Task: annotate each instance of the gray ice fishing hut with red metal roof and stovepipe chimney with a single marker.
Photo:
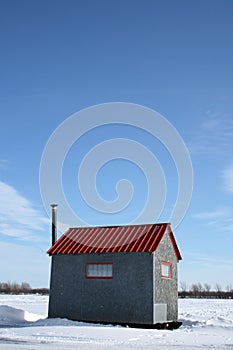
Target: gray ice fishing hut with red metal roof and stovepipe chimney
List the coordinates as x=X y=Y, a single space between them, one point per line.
x=117 y=274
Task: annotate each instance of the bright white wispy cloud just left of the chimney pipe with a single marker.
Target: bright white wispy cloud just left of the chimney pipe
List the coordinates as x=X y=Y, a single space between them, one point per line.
x=18 y=217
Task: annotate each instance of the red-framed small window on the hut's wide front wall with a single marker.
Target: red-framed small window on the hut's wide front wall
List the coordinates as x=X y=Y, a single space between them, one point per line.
x=99 y=270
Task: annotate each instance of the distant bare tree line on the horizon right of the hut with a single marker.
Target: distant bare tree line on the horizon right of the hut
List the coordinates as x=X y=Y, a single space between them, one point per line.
x=198 y=290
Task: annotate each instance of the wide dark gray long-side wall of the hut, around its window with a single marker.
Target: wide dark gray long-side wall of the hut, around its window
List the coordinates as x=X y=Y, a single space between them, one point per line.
x=127 y=298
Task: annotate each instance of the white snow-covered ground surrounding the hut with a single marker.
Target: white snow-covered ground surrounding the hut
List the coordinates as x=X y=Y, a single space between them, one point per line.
x=207 y=324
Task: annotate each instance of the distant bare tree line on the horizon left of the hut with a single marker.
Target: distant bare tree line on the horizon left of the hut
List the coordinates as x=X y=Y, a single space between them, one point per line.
x=20 y=288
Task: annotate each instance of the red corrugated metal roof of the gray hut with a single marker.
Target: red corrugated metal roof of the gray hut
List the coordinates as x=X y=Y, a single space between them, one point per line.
x=113 y=239
